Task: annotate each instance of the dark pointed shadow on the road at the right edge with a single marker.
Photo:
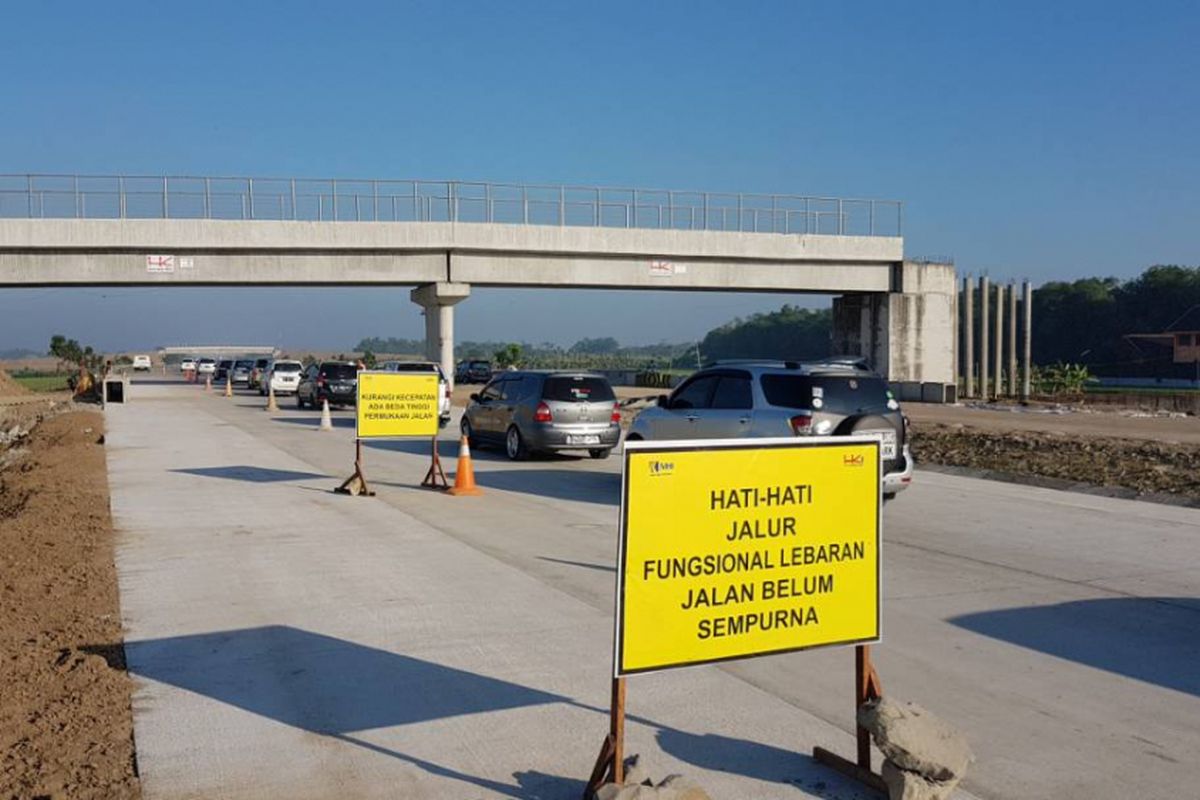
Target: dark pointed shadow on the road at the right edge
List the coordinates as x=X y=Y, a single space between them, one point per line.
x=1156 y=640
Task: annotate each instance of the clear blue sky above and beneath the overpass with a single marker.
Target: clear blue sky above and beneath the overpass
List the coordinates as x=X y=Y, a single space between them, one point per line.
x=1029 y=140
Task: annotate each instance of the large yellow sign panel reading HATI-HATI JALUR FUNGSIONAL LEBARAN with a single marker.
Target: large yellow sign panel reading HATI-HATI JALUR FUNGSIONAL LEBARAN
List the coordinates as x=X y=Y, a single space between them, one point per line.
x=742 y=549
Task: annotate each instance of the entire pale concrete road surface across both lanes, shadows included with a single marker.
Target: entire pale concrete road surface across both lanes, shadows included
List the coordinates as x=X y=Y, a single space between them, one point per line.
x=292 y=642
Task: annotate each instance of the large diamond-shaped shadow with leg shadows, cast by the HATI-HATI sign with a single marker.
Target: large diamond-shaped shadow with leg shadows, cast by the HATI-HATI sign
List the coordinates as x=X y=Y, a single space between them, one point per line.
x=343 y=690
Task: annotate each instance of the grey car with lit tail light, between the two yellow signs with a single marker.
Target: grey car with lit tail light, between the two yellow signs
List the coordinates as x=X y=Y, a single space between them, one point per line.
x=531 y=412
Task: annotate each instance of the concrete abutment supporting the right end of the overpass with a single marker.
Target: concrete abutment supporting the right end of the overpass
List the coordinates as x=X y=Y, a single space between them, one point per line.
x=907 y=335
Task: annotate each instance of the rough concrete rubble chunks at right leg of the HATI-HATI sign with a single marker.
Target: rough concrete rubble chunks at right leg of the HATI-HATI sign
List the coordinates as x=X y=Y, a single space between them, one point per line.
x=925 y=757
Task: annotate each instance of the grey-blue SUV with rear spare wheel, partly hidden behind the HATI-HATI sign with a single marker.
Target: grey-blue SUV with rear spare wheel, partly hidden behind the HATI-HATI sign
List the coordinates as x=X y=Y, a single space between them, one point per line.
x=785 y=399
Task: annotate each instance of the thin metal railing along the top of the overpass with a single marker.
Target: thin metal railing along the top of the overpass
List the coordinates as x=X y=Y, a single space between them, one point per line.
x=135 y=197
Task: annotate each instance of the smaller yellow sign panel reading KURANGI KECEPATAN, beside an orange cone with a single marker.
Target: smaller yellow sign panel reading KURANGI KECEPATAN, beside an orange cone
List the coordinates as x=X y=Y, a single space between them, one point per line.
x=394 y=405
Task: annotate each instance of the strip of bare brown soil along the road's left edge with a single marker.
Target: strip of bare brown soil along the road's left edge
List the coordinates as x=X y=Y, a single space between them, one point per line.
x=67 y=729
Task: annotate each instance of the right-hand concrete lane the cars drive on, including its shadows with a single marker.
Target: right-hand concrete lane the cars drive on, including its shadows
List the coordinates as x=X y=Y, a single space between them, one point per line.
x=1060 y=631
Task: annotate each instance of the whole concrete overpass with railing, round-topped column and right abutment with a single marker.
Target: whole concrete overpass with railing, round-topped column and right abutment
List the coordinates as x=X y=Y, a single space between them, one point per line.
x=443 y=238
